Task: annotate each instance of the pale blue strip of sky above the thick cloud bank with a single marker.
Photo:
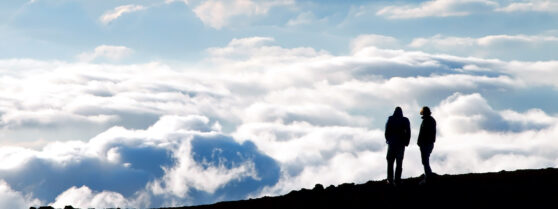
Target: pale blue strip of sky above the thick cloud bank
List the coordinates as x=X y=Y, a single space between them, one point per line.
x=173 y=31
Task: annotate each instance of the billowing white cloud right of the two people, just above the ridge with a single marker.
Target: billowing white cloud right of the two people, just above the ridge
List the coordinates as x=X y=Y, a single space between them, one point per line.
x=471 y=139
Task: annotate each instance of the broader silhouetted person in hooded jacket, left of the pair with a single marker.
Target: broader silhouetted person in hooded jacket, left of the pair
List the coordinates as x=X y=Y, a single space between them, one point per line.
x=398 y=134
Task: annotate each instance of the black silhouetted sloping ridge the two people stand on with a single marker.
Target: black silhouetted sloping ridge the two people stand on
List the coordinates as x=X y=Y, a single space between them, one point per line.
x=504 y=189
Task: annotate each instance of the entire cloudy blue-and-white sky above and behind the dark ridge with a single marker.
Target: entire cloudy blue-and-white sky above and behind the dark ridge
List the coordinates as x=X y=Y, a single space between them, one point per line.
x=162 y=103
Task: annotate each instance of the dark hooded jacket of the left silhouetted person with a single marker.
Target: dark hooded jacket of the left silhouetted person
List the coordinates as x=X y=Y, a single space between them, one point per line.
x=398 y=129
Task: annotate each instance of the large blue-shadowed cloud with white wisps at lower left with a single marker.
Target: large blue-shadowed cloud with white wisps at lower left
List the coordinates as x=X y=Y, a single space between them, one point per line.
x=171 y=159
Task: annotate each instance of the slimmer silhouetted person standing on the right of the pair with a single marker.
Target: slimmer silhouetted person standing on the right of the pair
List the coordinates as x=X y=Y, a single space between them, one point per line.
x=426 y=139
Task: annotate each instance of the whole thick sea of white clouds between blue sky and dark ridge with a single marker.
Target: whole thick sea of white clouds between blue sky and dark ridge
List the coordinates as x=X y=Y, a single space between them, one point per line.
x=255 y=118
